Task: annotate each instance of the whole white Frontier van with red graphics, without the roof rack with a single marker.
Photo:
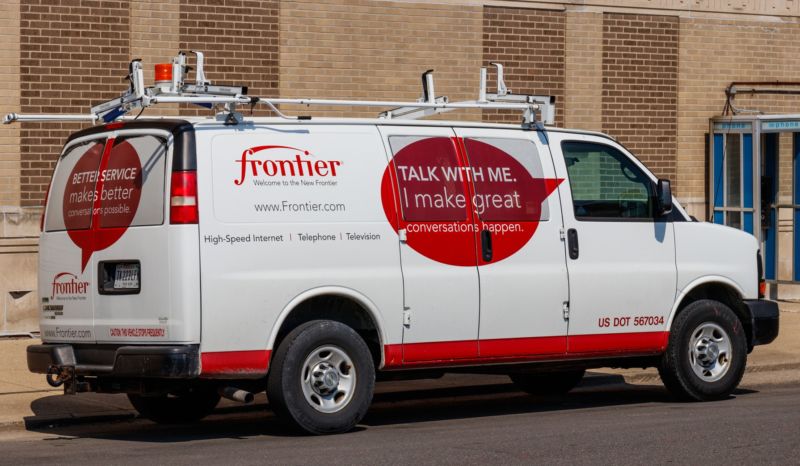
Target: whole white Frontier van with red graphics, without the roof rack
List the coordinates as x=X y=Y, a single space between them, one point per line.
x=185 y=259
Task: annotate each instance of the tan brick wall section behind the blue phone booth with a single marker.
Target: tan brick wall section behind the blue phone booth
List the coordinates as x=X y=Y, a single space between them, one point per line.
x=713 y=53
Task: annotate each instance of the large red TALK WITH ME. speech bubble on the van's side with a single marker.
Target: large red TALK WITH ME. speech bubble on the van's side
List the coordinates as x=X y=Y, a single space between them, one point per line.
x=444 y=206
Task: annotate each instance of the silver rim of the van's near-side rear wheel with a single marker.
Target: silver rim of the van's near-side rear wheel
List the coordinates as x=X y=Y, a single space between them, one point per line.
x=328 y=379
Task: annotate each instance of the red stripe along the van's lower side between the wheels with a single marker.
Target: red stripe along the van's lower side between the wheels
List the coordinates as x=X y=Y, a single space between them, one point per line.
x=454 y=353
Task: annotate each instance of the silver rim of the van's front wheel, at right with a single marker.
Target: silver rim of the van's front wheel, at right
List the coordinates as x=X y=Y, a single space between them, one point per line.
x=710 y=352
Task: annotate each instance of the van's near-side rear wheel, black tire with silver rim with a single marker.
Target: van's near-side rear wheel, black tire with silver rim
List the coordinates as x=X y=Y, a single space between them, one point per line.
x=285 y=383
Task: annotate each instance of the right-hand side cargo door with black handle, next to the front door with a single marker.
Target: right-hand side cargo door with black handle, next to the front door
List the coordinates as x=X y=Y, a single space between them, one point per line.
x=521 y=261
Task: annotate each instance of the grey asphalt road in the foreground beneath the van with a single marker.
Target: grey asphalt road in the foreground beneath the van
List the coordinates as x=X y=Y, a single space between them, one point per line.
x=492 y=424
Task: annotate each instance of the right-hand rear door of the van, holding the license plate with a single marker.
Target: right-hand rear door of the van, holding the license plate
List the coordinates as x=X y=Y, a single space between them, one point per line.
x=131 y=261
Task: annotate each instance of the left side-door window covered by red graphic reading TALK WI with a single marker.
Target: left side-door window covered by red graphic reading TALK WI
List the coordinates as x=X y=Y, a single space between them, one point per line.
x=430 y=180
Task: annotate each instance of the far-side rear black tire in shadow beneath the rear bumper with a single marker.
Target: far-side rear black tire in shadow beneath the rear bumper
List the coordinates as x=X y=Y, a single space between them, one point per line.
x=189 y=405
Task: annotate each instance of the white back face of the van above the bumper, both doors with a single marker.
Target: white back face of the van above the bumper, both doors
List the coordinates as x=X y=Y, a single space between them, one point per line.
x=107 y=229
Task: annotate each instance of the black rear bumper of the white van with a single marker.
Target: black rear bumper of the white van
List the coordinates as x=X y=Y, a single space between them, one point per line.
x=166 y=362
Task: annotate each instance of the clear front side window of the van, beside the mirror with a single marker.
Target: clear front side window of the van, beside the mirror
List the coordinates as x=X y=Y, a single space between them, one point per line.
x=606 y=184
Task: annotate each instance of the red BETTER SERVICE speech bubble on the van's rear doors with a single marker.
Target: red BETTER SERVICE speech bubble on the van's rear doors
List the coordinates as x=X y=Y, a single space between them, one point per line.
x=101 y=197
